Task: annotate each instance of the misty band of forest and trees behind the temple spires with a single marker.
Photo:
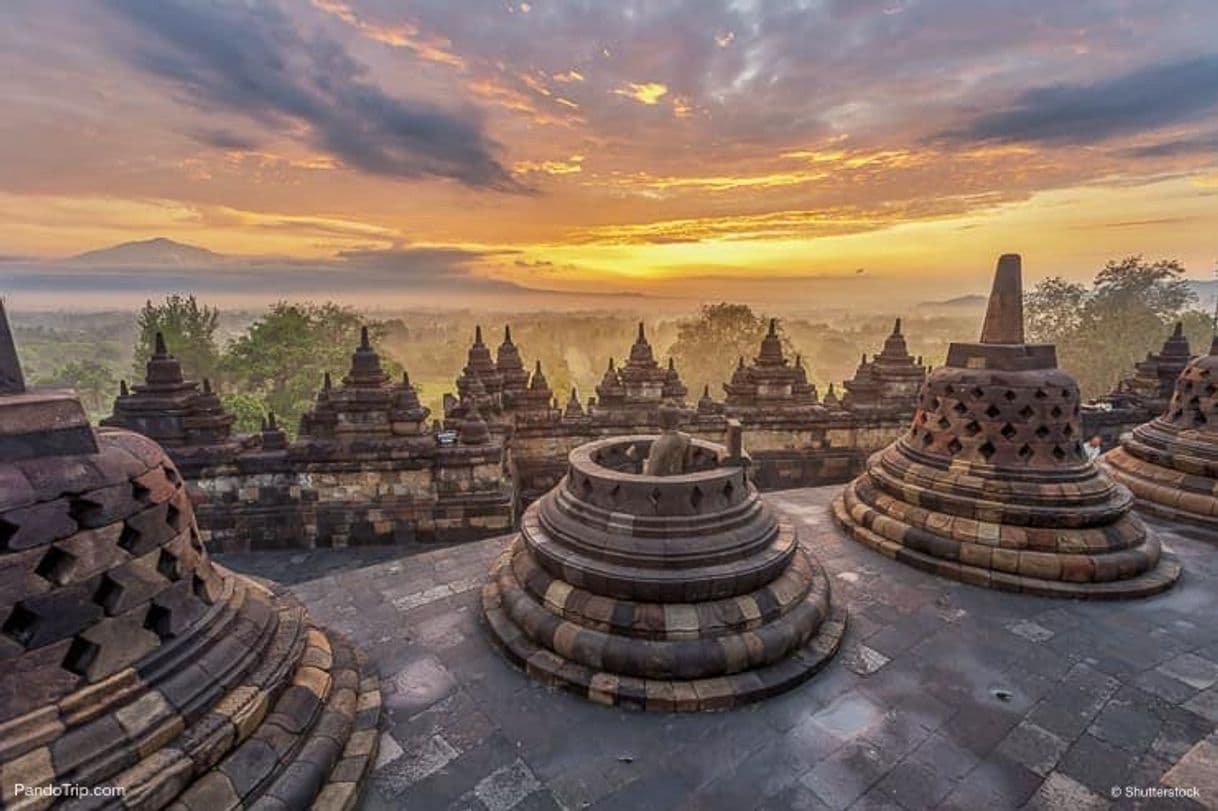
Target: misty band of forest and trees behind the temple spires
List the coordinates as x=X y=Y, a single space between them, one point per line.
x=275 y=360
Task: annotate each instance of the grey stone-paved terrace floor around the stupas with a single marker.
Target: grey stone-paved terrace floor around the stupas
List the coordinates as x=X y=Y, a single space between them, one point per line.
x=945 y=696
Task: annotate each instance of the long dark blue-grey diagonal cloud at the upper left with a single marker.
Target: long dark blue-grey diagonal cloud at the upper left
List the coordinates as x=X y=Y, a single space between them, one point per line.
x=250 y=59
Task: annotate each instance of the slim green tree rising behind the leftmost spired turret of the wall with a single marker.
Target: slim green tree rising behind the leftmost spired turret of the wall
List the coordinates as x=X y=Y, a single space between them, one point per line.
x=189 y=331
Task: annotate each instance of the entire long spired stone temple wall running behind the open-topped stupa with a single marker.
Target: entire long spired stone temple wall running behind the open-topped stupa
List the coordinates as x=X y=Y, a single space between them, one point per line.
x=370 y=469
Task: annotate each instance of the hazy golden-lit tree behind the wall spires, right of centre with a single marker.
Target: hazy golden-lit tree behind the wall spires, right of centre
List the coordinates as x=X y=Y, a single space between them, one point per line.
x=708 y=348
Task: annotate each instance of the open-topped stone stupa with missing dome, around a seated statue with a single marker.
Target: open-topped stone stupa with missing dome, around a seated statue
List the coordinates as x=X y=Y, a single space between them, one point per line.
x=680 y=592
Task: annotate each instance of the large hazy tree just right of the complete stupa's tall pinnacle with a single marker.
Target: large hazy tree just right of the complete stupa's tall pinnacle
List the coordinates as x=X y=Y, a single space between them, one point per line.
x=1102 y=332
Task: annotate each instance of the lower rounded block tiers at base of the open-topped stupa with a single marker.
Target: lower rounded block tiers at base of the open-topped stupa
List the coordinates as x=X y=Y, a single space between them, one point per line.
x=523 y=607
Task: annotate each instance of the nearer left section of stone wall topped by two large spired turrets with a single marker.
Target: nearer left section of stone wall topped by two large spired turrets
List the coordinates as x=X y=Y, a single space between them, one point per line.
x=367 y=468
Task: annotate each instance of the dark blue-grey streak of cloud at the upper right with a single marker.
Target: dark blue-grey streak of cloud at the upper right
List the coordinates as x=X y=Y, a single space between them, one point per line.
x=1138 y=102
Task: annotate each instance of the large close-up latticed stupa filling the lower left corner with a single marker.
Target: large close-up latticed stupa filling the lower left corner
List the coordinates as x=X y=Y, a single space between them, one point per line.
x=130 y=659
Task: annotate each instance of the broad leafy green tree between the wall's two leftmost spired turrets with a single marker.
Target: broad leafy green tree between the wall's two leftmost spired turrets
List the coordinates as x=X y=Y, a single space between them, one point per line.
x=284 y=355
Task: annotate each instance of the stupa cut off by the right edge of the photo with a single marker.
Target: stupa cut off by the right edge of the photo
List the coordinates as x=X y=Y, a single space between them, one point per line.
x=1171 y=463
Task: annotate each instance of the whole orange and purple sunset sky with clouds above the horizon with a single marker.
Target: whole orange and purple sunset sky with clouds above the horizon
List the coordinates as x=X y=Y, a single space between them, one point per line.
x=839 y=150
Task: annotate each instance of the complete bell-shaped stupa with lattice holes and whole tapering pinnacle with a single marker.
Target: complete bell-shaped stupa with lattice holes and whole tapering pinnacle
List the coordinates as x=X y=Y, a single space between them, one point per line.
x=991 y=484
